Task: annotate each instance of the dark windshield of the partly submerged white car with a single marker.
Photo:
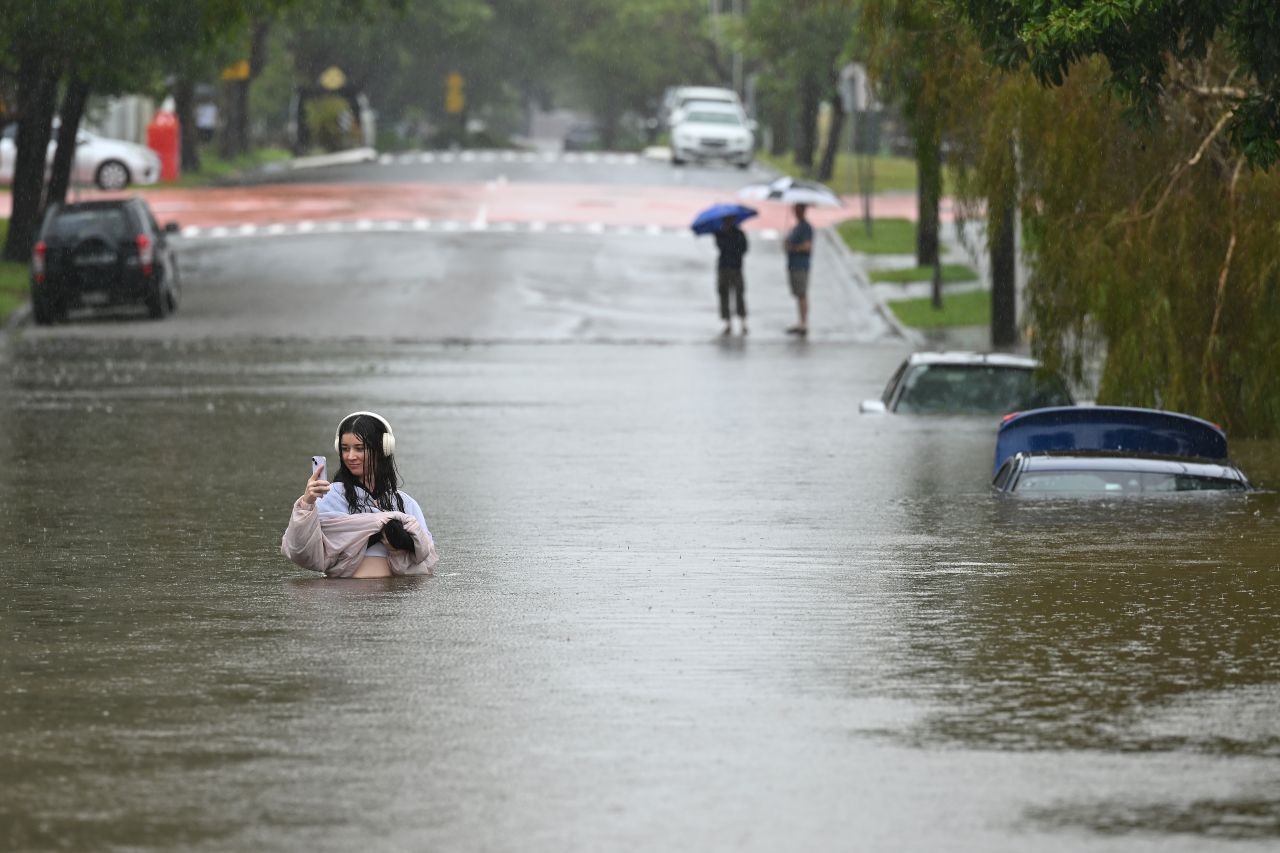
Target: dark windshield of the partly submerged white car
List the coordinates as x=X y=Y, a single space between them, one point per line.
x=981 y=389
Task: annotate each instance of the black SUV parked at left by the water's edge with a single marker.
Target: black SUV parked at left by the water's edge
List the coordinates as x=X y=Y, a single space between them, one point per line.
x=103 y=253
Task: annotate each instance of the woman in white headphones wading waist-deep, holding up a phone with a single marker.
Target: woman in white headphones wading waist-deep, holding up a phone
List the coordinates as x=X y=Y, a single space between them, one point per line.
x=360 y=526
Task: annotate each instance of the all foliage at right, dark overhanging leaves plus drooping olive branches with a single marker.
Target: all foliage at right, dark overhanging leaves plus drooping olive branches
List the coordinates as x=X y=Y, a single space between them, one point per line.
x=1154 y=262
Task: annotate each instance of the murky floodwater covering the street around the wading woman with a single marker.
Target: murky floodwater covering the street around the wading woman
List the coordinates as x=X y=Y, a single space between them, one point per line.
x=688 y=599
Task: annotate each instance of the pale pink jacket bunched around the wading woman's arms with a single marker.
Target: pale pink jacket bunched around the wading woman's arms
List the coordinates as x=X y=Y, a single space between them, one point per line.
x=337 y=545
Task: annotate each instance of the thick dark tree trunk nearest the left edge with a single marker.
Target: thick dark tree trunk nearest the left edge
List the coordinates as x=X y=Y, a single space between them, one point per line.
x=38 y=97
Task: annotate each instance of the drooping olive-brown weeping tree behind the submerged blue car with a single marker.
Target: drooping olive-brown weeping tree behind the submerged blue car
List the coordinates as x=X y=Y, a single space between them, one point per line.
x=1155 y=266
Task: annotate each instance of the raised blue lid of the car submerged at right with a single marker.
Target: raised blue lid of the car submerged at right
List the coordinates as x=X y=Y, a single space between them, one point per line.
x=1118 y=430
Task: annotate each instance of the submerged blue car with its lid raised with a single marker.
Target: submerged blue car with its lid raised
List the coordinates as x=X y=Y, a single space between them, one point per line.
x=1112 y=451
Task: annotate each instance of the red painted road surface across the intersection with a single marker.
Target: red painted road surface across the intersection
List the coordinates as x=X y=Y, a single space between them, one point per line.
x=491 y=203
